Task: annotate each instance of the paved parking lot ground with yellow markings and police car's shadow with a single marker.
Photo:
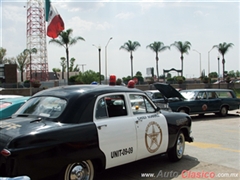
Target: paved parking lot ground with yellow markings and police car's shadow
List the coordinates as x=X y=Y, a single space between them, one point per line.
x=214 y=154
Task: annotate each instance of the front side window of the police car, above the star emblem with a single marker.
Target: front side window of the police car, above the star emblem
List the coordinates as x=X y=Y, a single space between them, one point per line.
x=140 y=104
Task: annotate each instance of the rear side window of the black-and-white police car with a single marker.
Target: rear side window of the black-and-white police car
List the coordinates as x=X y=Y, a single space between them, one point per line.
x=111 y=106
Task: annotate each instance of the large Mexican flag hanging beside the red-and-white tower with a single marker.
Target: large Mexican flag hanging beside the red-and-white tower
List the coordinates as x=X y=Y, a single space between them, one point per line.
x=55 y=22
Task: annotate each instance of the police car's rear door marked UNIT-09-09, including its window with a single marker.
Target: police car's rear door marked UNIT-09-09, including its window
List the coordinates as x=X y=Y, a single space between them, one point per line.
x=116 y=129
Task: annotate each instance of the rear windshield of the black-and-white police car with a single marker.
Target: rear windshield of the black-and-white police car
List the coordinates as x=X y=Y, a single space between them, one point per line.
x=51 y=107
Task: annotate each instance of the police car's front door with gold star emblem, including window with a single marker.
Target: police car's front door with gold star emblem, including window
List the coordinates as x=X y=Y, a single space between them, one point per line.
x=151 y=126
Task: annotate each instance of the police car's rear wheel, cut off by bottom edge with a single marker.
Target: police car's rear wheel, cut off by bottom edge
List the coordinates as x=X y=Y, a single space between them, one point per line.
x=80 y=170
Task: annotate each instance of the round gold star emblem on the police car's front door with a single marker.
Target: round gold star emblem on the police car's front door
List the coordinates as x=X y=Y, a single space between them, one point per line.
x=153 y=137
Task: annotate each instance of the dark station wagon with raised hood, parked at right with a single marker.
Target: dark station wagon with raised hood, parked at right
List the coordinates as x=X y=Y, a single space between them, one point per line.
x=199 y=101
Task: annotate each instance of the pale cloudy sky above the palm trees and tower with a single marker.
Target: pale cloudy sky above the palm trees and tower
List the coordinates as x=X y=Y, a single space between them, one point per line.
x=202 y=23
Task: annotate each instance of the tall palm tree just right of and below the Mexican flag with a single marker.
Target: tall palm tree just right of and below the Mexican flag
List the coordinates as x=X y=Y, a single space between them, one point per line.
x=65 y=39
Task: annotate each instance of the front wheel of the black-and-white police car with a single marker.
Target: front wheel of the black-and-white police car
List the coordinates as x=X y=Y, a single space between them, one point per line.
x=176 y=153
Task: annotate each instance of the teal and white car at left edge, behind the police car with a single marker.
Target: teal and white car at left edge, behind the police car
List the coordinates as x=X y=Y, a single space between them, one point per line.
x=11 y=105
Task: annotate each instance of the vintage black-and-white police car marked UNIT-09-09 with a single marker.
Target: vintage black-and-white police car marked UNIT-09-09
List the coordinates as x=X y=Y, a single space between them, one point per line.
x=73 y=132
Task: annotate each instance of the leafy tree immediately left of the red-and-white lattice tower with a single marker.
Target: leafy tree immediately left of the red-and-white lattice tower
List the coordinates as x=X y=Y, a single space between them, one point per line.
x=22 y=60
